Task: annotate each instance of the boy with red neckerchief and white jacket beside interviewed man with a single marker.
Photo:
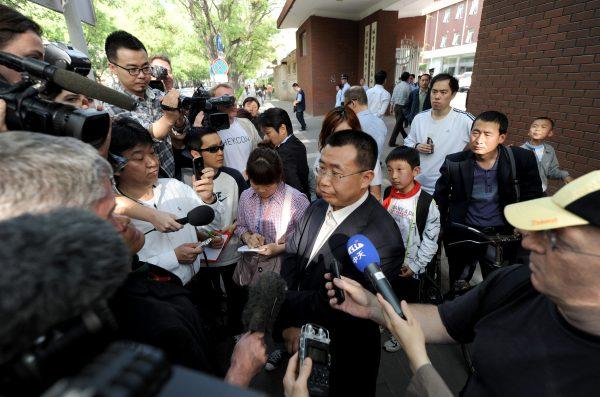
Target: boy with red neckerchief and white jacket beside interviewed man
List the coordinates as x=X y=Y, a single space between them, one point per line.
x=418 y=218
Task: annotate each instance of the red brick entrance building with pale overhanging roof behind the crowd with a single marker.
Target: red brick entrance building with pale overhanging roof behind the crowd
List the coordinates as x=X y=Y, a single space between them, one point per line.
x=355 y=37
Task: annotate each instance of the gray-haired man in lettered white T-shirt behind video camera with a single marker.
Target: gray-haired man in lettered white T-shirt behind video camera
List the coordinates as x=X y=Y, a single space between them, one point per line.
x=240 y=138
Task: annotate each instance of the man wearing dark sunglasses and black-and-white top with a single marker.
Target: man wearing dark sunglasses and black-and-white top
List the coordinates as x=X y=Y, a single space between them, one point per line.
x=228 y=185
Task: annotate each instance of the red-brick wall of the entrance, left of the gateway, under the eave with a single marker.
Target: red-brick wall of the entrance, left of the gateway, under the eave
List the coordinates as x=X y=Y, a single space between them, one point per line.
x=332 y=50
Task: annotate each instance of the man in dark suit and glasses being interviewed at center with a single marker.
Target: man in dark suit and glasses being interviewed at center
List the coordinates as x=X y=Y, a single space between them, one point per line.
x=346 y=208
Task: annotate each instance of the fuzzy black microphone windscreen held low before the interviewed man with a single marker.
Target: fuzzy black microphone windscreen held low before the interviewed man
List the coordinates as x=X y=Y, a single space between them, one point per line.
x=265 y=298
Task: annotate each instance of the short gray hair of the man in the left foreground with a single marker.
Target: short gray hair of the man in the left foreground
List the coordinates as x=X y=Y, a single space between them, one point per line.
x=40 y=172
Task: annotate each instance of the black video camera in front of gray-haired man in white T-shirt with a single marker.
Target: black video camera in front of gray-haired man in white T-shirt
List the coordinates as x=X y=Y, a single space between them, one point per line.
x=214 y=118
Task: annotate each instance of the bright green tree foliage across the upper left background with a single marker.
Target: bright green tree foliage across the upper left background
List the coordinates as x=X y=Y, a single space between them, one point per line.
x=180 y=29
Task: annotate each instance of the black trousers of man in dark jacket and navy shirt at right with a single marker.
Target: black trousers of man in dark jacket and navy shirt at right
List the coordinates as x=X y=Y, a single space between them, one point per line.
x=462 y=258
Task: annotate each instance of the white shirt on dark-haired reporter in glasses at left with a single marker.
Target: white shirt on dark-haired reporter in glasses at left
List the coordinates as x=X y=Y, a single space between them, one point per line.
x=177 y=198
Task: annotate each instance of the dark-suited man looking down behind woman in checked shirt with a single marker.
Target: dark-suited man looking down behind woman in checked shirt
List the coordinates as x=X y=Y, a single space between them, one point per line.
x=276 y=126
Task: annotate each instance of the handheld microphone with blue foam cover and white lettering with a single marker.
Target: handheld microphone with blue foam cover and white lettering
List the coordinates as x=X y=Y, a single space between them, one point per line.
x=366 y=259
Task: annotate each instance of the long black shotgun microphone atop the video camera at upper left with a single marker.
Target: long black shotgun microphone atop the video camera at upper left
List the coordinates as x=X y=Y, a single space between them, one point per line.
x=67 y=80
